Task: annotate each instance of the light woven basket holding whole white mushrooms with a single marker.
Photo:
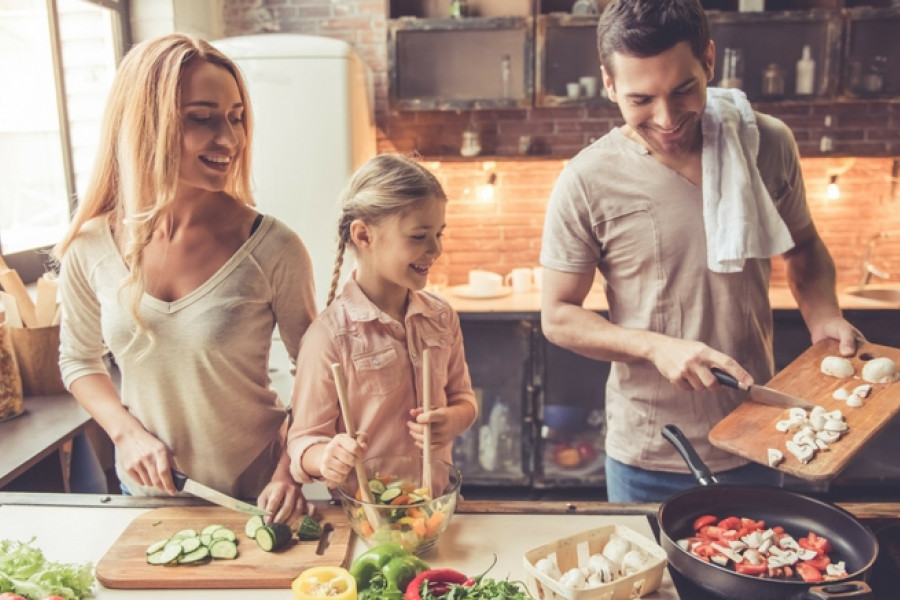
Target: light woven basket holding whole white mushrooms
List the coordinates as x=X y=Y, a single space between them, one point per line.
x=573 y=551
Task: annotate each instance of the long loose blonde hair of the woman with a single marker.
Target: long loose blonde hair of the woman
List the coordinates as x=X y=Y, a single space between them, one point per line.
x=137 y=167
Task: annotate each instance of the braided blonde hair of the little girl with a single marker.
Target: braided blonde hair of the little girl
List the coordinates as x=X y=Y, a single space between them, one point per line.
x=386 y=185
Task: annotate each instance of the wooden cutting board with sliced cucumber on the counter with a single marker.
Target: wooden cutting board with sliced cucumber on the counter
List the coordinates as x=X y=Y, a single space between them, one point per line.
x=124 y=565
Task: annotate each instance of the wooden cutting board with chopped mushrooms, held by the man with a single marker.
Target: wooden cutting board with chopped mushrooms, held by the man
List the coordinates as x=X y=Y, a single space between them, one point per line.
x=749 y=430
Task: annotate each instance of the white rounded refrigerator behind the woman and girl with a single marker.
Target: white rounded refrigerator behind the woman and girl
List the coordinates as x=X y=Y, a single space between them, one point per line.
x=314 y=125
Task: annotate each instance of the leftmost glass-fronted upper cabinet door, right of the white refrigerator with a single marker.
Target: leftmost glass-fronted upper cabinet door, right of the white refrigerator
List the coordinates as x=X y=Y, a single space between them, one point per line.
x=454 y=64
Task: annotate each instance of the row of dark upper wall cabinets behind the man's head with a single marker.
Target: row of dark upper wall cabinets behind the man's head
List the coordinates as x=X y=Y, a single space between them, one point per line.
x=455 y=64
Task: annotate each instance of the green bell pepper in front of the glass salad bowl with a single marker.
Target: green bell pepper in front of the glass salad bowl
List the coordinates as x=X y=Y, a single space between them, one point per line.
x=383 y=572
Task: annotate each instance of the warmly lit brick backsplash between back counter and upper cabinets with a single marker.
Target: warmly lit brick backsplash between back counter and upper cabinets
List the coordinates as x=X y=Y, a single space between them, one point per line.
x=506 y=233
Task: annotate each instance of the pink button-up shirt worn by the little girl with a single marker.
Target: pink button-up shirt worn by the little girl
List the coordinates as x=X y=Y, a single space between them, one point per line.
x=382 y=362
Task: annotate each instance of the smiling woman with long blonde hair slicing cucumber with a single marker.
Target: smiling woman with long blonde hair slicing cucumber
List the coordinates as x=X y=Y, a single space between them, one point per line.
x=168 y=265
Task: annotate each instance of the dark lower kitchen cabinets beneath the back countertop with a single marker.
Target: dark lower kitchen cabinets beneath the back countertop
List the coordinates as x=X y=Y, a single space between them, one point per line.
x=512 y=364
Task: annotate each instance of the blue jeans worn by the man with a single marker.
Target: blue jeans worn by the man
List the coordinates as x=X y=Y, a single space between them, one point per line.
x=625 y=483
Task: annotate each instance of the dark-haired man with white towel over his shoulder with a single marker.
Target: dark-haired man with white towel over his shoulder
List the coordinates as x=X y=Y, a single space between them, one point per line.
x=681 y=224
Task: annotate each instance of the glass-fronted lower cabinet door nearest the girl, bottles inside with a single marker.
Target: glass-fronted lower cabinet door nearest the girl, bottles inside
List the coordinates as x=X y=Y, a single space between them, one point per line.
x=498 y=449
